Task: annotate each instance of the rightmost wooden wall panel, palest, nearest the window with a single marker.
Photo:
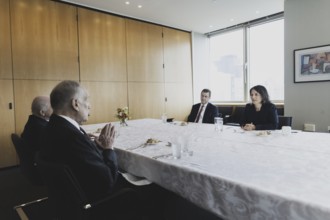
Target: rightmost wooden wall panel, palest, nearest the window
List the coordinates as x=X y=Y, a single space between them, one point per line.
x=178 y=73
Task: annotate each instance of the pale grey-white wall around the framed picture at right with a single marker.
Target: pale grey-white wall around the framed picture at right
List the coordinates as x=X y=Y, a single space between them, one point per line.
x=307 y=24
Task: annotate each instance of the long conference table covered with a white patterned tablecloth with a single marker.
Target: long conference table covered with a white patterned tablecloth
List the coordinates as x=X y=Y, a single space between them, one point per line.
x=234 y=174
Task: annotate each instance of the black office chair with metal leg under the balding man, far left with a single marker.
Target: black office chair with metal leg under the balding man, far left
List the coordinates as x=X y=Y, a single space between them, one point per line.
x=28 y=169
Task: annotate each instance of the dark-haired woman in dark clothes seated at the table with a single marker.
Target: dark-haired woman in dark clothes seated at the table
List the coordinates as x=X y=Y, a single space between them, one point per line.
x=261 y=114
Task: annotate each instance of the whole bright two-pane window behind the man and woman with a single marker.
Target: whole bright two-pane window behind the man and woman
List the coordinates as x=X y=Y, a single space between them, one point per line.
x=247 y=56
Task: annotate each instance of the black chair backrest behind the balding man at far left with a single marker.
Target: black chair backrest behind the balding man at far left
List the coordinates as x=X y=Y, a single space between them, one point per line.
x=27 y=160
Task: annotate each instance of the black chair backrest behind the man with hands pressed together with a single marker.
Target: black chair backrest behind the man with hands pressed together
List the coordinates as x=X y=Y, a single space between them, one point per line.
x=67 y=199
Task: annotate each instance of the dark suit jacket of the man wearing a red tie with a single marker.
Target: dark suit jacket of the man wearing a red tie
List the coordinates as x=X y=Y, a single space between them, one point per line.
x=211 y=111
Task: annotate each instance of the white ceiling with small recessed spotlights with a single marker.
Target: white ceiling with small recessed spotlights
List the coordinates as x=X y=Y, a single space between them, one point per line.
x=201 y=16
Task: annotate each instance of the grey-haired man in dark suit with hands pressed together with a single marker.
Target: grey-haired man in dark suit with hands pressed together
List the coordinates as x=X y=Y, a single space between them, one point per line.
x=93 y=163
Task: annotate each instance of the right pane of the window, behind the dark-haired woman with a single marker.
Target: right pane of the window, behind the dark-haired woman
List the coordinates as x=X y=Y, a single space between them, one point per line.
x=266 y=58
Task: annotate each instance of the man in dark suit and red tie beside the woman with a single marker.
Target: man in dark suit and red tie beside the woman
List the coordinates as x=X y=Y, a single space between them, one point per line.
x=203 y=112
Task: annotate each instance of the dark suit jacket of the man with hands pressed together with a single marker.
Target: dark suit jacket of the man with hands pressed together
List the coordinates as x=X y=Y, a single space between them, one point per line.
x=96 y=169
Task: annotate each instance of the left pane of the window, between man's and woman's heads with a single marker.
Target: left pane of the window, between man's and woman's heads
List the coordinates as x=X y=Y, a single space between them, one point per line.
x=226 y=68
